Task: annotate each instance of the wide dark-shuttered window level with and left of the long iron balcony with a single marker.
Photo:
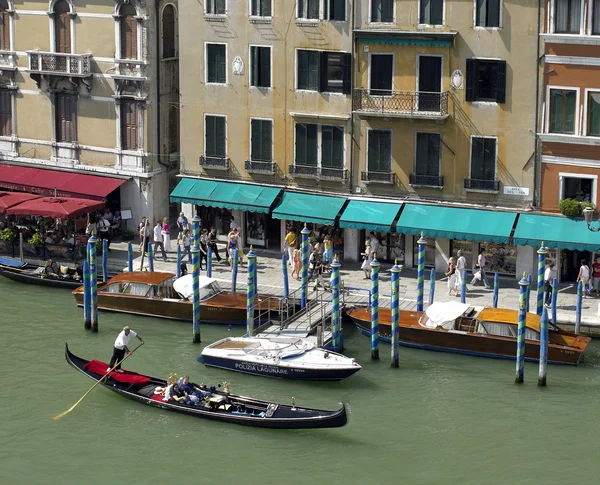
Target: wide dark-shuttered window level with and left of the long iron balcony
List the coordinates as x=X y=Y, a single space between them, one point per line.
x=324 y=71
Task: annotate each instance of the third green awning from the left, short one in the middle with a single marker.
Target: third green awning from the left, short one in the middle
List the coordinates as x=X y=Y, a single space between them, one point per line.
x=372 y=216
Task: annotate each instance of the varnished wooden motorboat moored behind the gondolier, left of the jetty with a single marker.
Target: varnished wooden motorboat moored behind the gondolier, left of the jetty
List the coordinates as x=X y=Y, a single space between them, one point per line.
x=154 y=294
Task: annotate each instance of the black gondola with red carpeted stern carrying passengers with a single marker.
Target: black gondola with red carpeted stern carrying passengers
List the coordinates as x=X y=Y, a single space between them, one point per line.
x=217 y=405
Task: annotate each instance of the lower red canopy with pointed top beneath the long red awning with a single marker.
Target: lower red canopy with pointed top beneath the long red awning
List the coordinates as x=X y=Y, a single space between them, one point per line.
x=56 y=207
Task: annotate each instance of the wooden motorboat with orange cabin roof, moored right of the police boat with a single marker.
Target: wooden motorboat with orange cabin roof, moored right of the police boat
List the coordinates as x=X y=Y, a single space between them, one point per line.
x=487 y=332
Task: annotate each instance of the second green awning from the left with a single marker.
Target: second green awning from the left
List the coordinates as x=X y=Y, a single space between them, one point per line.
x=321 y=209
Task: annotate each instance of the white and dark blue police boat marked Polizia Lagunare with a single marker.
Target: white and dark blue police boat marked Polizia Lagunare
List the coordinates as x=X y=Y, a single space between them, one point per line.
x=283 y=357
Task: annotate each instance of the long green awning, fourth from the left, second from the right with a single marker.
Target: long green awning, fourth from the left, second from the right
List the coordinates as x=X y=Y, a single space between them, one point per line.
x=456 y=223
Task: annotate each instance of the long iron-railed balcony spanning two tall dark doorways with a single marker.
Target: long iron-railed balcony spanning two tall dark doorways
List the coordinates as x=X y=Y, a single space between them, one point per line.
x=400 y=104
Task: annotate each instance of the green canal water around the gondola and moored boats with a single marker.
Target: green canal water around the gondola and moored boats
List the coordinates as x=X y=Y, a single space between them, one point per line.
x=438 y=419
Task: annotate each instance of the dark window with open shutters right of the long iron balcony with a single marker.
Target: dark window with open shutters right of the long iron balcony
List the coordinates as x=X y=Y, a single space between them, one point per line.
x=486 y=80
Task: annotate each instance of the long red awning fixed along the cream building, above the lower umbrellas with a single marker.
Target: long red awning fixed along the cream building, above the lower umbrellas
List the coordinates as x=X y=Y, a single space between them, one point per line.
x=53 y=182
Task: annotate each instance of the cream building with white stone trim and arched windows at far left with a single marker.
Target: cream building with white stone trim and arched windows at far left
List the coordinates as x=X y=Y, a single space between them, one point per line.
x=81 y=101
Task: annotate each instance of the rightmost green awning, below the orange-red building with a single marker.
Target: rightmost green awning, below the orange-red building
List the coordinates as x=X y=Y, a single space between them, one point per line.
x=555 y=232
